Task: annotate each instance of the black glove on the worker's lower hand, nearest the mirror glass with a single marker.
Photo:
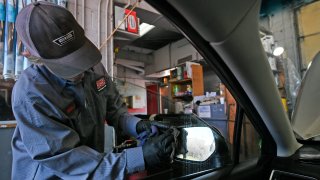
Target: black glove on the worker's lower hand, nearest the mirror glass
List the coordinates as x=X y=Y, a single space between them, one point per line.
x=157 y=149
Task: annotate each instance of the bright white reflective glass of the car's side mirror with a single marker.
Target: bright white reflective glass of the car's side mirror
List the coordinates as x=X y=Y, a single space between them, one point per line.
x=199 y=142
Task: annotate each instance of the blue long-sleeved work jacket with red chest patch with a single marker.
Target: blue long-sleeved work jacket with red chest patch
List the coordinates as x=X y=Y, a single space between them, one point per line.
x=60 y=127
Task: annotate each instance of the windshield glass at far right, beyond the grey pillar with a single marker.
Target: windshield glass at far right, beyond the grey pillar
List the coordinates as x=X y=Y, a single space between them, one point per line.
x=291 y=40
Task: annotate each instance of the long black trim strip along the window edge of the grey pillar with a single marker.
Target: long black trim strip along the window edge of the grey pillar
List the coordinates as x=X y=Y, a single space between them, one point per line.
x=218 y=65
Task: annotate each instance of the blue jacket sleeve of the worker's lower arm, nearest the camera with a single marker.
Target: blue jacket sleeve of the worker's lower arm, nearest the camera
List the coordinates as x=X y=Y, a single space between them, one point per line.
x=56 y=146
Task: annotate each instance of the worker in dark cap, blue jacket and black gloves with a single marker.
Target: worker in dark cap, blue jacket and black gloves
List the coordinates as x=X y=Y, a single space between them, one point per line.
x=61 y=104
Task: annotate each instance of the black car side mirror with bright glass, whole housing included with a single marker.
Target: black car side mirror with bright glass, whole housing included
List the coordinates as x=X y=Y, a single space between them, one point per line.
x=201 y=146
